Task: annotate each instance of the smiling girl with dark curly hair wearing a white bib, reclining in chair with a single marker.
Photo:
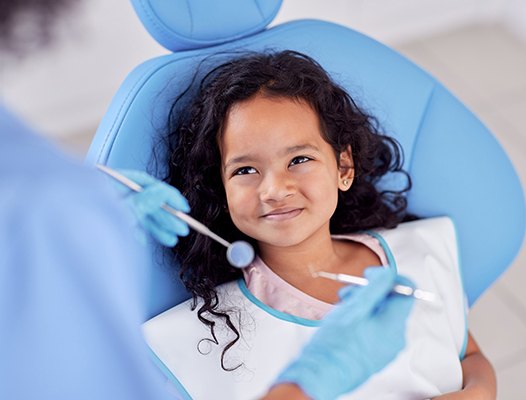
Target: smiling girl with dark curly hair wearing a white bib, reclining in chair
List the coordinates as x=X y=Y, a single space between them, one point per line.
x=272 y=151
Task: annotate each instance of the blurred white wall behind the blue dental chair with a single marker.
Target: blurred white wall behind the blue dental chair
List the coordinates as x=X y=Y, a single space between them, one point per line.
x=67 y=88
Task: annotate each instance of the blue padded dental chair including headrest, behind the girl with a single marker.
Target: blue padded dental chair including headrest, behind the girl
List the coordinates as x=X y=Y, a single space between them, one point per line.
x=457 y=166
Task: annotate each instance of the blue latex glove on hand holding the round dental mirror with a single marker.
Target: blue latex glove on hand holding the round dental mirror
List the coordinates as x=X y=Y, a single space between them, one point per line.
x=146 y=206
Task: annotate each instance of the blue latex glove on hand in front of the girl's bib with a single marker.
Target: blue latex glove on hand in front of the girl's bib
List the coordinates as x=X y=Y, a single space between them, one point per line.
x=358 y=338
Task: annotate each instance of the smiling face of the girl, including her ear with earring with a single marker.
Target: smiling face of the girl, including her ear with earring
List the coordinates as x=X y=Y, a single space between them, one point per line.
x=281 y=177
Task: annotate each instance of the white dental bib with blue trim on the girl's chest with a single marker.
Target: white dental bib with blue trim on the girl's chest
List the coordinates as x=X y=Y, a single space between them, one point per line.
x=424 y=250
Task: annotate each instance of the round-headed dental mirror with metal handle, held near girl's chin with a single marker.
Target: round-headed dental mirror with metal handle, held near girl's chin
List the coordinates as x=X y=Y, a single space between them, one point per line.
x=239 y=253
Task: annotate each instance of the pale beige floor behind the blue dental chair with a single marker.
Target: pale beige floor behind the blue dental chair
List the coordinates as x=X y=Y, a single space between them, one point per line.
x=485 y=66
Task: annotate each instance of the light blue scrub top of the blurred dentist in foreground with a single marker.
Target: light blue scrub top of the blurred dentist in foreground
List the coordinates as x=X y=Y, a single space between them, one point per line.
x=71 y=280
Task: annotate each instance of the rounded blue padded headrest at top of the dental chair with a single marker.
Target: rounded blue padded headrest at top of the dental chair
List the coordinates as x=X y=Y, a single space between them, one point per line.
x=184 y=25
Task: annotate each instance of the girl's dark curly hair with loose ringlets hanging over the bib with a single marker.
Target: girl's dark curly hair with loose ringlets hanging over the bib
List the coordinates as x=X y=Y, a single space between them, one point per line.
x=195 y=161
